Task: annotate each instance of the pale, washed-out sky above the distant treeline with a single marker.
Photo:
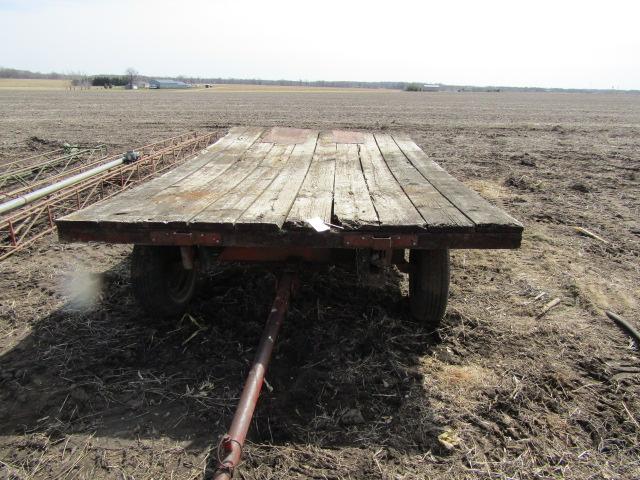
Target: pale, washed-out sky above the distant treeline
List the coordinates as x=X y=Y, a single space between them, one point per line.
x=561 y=43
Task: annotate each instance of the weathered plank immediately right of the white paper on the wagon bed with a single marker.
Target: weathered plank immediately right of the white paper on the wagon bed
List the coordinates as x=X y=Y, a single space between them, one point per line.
x=352 y=205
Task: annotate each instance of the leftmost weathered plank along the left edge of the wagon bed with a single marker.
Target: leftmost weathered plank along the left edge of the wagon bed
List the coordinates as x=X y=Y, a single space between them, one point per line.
x=134 y=200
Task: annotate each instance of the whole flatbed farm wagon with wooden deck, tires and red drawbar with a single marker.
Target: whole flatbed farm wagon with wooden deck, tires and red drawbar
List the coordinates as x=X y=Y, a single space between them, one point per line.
x=248 y=198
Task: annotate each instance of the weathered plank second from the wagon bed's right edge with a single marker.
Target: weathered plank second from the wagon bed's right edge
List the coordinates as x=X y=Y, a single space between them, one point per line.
x=436 y=210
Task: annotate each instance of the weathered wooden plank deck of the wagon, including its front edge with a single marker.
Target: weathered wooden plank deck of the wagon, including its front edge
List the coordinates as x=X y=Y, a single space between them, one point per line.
x=256 y=187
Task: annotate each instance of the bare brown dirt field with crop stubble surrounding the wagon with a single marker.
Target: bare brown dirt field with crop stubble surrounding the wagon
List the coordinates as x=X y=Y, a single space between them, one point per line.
x=96 y=389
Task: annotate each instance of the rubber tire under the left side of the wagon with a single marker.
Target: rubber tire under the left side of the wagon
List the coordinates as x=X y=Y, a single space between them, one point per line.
x=161 y=285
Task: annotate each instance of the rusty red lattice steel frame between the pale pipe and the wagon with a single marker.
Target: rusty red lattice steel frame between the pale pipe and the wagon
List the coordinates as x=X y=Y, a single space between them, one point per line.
x=30 y=223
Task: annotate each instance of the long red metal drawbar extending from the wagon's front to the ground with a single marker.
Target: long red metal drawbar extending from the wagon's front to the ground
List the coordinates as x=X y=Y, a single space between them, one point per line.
x=233 y=441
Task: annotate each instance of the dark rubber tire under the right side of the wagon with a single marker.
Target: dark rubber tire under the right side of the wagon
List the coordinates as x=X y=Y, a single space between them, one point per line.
x=429 y=286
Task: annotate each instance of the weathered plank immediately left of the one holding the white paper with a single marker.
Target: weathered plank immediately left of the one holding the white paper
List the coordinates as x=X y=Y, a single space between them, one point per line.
x=271 y=208
